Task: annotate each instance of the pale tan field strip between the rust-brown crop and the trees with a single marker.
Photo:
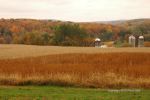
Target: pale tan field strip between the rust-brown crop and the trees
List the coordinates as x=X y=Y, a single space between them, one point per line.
x=9 y=51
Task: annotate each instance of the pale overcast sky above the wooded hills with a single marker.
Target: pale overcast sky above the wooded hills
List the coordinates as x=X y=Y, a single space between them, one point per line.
x=75 y=10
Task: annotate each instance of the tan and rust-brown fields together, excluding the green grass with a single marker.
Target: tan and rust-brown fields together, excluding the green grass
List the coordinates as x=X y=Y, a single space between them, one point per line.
x=75 y=66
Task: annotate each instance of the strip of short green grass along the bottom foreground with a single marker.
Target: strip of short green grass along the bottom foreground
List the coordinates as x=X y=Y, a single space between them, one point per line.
x=63 y=93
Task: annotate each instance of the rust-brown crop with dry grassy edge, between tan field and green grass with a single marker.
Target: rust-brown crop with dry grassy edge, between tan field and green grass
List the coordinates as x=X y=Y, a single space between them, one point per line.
x=104 y=70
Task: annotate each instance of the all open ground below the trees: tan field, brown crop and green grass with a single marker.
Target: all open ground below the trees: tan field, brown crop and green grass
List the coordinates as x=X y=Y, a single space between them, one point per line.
x=68 y=73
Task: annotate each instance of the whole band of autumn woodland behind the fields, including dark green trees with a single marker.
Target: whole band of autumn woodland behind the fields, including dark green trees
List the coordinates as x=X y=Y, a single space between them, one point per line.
x=49 y=32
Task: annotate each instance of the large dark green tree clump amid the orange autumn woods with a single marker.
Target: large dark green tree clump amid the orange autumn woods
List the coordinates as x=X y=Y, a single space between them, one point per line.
x=69 y=34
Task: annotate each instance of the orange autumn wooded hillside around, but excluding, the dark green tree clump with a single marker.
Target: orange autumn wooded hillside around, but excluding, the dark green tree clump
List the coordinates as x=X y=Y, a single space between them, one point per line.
x=31 y=31
